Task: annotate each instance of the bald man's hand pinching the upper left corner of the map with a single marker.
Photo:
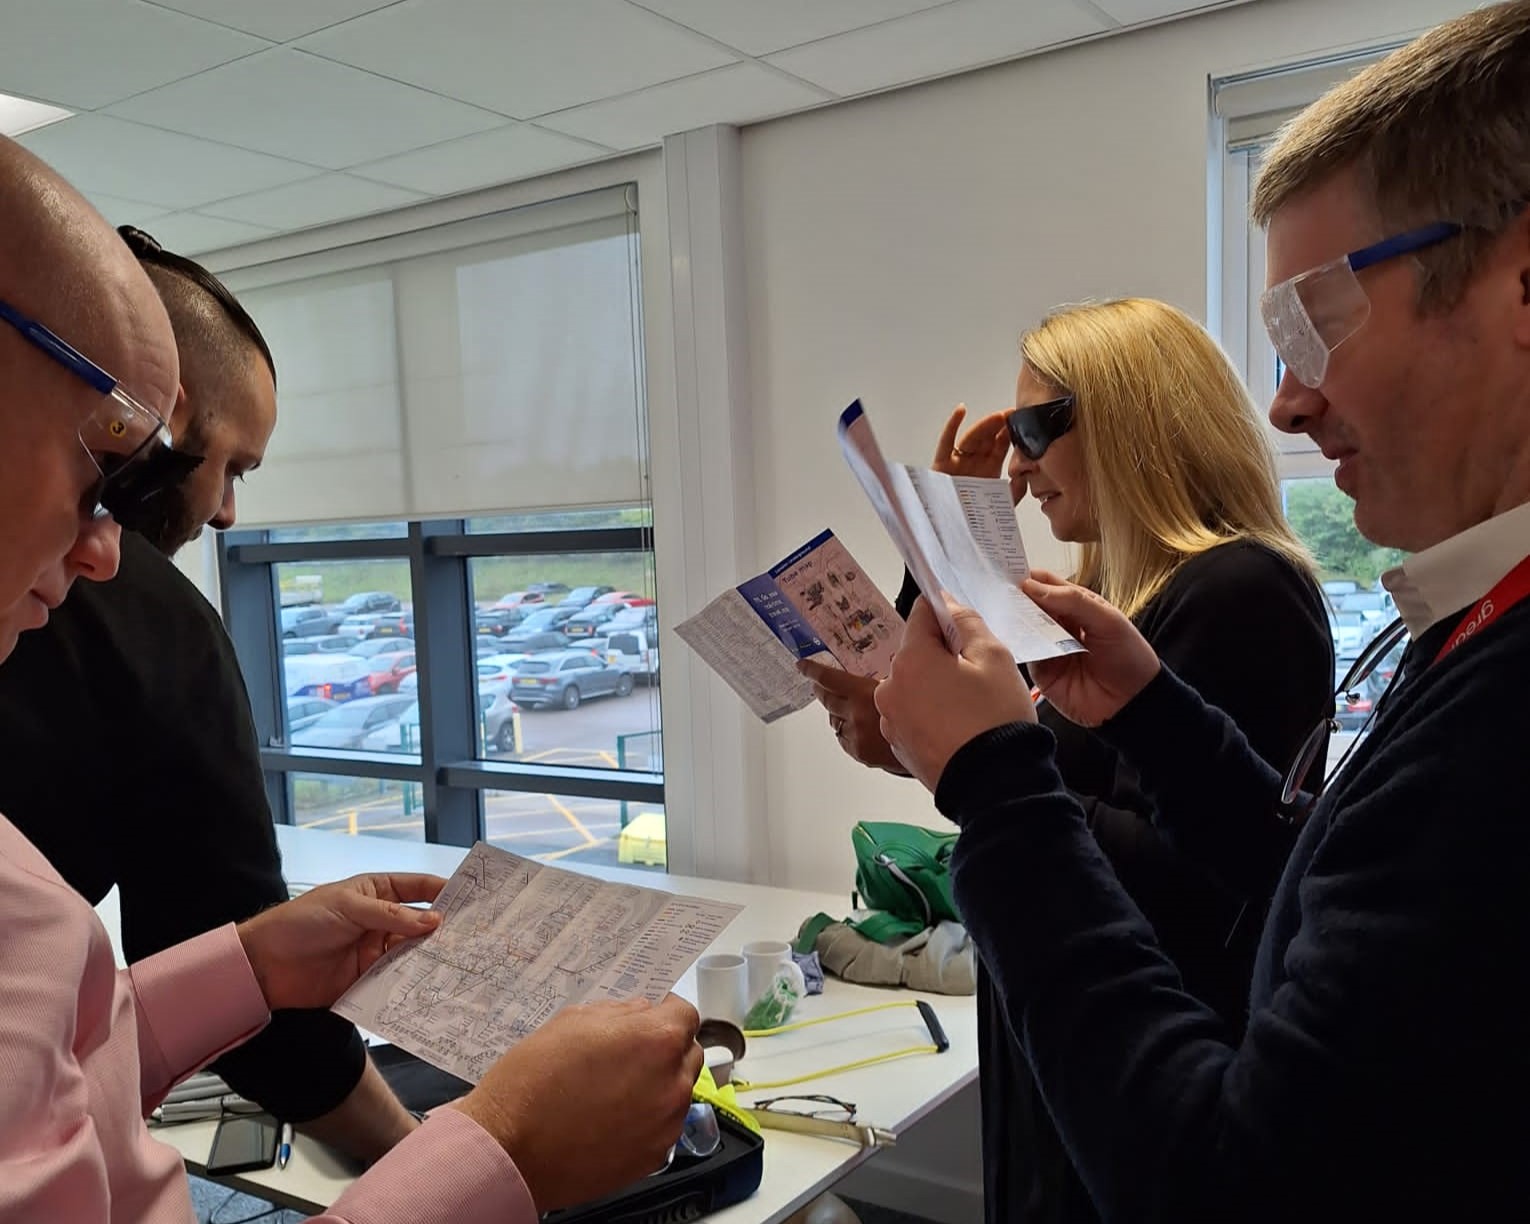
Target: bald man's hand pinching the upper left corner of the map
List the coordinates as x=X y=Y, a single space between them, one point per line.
x=308 y=952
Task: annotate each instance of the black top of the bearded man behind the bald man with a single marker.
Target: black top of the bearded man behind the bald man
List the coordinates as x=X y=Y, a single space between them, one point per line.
x=132 y=761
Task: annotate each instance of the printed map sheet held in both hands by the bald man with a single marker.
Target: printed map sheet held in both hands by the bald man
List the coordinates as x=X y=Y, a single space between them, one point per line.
x=518 y=942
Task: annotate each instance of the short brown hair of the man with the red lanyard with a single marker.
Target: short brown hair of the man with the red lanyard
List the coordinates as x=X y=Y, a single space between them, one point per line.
x=1437 y=131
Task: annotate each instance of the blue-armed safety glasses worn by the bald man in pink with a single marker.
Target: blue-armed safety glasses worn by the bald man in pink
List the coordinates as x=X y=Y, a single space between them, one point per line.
x=128 y=441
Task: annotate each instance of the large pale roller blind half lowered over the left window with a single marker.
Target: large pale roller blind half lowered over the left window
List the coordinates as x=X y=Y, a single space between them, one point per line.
x=481 y=368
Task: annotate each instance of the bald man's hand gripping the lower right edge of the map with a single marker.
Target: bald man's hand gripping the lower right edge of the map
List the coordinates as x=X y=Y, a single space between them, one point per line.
x=594 y=1099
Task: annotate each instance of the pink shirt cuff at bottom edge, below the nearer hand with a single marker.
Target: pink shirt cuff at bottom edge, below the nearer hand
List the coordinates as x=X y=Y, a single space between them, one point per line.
x=408 y=1185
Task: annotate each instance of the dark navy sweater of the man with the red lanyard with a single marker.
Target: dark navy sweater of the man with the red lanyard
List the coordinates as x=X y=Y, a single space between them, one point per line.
x=1385 y=1072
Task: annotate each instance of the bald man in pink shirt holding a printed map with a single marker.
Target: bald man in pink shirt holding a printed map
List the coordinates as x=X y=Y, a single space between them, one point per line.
x=588 y=1104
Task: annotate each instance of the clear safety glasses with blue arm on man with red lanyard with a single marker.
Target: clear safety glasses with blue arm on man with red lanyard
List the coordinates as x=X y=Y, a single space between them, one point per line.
x=1317 y=311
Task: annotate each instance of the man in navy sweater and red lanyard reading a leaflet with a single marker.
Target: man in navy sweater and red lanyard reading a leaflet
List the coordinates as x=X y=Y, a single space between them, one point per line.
x=1385 y=1072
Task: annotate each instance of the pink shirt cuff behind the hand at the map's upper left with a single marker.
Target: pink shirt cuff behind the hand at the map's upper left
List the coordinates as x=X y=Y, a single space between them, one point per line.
x=175 y=1040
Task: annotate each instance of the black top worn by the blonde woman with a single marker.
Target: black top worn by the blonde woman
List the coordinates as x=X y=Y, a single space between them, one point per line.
x=1249 y=633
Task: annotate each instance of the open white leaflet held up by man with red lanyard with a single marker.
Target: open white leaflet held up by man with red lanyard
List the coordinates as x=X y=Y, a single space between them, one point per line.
x=957 y=535
